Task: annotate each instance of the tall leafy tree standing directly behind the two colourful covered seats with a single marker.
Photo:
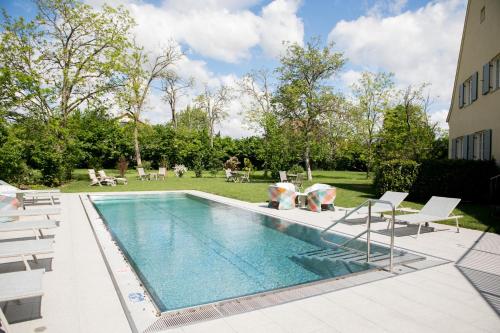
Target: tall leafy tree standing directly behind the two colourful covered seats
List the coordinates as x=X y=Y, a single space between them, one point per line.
x=303 y=95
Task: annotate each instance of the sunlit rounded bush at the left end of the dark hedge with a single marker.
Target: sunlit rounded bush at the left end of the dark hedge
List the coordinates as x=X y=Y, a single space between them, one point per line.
x=395 y=175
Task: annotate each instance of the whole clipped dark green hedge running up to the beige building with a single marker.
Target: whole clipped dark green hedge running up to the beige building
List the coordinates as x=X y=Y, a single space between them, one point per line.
x=467 y=180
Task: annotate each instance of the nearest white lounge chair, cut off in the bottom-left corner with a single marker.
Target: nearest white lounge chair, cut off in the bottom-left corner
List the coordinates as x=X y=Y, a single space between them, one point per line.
x=17 y=286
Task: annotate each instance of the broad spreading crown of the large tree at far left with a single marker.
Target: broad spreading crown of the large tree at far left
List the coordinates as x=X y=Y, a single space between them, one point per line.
x=67 y=56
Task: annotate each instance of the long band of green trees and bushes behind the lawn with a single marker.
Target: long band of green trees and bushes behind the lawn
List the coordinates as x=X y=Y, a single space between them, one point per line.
x=74 y=87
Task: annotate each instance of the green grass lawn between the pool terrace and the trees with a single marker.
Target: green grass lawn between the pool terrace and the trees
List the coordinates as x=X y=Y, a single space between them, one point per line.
x=353 y=189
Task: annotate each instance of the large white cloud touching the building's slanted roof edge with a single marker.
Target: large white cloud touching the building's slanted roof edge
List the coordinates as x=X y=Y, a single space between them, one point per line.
x=417 y=46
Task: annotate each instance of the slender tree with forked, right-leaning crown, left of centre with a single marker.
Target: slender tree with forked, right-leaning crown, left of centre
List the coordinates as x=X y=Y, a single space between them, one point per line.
x=140 y=74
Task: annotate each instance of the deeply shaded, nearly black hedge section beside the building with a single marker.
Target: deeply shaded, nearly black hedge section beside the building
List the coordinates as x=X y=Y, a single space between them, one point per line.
x=467 y=180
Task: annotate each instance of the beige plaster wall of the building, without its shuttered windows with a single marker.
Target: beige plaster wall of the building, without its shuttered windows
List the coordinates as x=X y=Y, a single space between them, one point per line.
x=481 y=44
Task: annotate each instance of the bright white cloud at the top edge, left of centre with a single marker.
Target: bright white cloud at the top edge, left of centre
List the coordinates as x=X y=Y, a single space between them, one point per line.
x=223 y=30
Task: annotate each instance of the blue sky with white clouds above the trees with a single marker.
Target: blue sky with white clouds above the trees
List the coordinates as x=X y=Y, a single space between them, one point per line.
x=418 y=40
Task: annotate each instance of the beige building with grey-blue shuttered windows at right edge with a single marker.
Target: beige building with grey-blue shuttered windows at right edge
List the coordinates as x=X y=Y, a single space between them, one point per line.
x=474 y=116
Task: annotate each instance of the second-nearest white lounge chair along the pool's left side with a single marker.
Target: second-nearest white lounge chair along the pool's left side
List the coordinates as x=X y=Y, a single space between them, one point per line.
x=26 y=248
